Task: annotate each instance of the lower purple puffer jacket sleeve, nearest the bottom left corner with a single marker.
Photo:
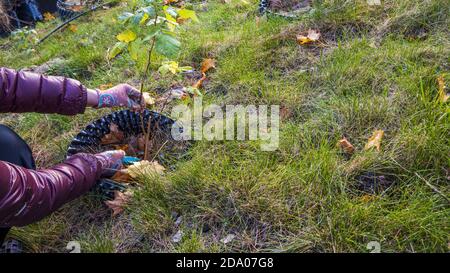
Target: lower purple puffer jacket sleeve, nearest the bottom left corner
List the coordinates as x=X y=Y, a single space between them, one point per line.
x=27 y=196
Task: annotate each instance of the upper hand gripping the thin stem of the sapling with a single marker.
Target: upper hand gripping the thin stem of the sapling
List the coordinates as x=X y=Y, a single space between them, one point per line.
x=122 y=95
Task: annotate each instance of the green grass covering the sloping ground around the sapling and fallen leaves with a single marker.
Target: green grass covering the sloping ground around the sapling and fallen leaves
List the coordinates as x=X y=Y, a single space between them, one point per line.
x=378 y=70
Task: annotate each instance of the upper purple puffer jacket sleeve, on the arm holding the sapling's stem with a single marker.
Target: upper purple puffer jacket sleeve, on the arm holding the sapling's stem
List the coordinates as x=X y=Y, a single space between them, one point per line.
x=29 y=92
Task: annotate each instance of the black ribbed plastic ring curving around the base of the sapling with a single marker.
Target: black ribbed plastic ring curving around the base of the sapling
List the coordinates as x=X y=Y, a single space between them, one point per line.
x=129 y=122
